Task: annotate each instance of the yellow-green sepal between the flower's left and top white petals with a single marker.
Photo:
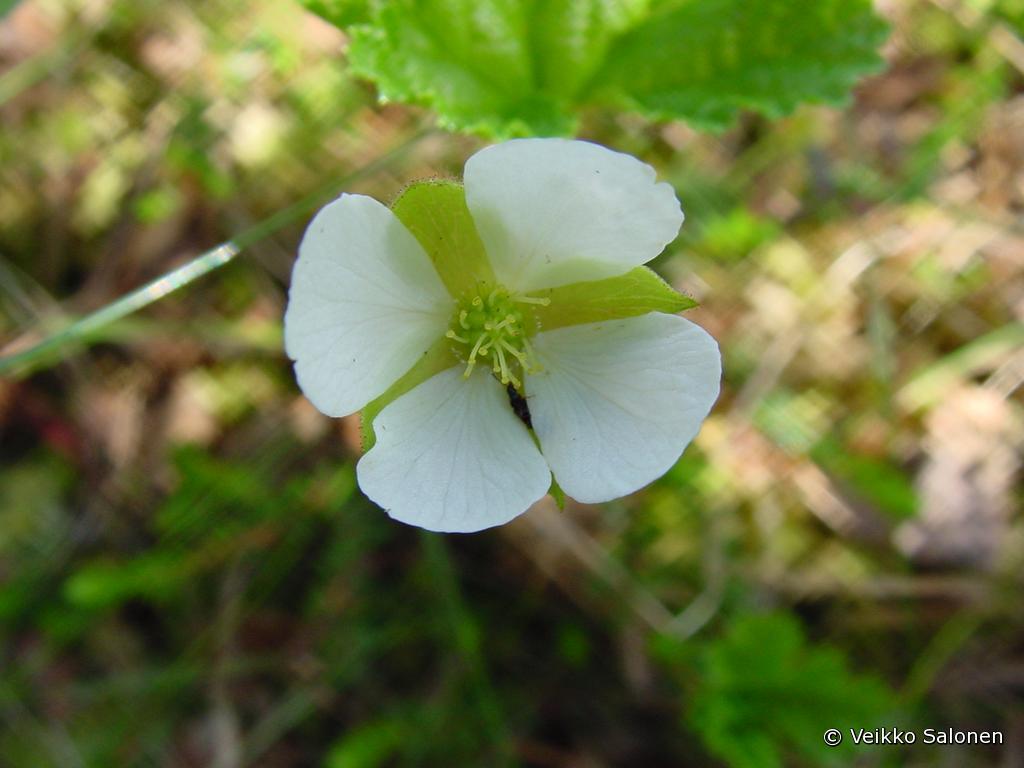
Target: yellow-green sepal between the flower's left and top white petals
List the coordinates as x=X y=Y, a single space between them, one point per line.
x=437 y=215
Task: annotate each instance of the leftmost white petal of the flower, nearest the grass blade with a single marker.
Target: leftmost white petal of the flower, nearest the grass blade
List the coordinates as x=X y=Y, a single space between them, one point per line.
x=365 y=304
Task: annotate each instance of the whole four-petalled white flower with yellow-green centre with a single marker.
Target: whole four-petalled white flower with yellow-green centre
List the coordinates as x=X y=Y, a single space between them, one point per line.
x=613 y=404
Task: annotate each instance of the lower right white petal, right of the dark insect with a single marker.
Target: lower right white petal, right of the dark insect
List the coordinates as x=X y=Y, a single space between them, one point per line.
x=619 y=402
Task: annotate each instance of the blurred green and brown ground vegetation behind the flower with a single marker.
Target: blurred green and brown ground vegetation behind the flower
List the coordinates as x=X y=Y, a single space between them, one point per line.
x=190 y=577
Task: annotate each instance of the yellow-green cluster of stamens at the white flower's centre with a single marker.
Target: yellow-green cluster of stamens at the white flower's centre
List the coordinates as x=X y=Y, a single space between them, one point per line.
x=494 y=326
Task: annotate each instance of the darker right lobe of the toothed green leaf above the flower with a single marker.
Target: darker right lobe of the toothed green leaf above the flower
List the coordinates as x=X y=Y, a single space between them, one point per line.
x=705 y=61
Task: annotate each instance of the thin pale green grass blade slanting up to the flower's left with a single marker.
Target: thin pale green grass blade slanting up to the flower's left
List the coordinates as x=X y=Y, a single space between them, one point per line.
x=46 y=352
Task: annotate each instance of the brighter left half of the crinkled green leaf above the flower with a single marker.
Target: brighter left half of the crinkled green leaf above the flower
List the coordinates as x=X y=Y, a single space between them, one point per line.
x=501 y=68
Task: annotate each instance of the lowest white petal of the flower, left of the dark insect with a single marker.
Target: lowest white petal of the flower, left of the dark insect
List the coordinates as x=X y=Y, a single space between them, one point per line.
x=452 y=456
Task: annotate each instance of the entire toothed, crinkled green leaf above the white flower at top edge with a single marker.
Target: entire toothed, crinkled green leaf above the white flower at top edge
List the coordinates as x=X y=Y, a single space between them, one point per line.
x=506 y=68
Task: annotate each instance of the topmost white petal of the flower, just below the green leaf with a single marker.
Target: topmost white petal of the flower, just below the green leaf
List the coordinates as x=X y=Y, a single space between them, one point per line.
x=553 y=211
